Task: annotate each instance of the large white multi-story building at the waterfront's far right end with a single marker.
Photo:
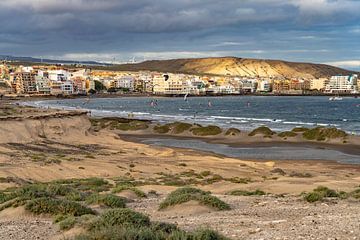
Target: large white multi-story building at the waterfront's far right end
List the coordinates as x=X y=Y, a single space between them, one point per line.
x=342 y=84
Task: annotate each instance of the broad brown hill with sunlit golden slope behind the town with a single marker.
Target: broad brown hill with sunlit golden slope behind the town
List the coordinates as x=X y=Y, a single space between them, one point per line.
x=236 y=67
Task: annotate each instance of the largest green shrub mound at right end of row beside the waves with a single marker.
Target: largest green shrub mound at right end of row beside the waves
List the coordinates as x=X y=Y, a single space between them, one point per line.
x=322 y=134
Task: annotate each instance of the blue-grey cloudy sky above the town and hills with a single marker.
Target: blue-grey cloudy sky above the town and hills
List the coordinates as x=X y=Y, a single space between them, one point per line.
x=320 y=31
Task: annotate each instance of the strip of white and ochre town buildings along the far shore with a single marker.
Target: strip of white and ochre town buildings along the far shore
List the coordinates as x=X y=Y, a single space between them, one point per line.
x=44 y=80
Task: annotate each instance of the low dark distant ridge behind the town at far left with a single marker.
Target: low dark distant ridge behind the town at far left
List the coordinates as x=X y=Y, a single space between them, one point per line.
x=47 y=61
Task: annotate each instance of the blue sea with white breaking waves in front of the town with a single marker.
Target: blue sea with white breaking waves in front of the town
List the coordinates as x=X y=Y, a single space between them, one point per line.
x=244 y=112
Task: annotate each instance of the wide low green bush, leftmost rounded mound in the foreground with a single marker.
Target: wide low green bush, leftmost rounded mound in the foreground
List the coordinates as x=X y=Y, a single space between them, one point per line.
x=57 y=206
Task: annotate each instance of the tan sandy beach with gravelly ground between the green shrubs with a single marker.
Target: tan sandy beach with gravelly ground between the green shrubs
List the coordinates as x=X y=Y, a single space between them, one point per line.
x=41 y=145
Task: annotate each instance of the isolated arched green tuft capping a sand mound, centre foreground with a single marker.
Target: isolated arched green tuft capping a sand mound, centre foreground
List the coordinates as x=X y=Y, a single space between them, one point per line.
x=186 y=194
